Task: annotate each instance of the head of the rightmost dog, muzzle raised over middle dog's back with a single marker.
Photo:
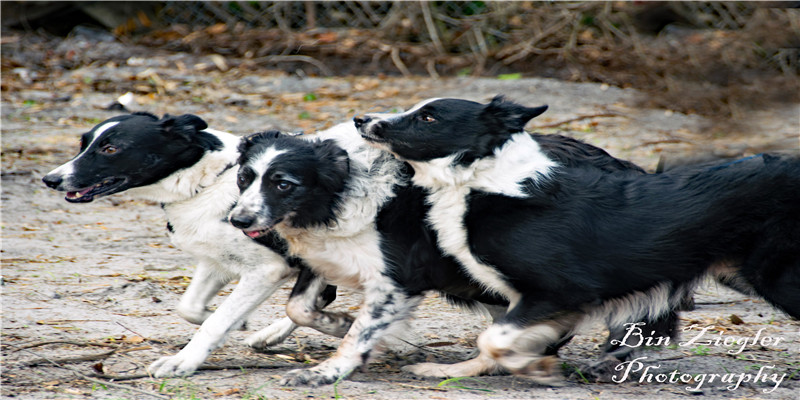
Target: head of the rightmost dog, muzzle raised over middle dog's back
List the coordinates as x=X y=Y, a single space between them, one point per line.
x=437 y=128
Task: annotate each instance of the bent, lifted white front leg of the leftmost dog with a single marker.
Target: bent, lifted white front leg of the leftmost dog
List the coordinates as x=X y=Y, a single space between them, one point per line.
x=205 y=284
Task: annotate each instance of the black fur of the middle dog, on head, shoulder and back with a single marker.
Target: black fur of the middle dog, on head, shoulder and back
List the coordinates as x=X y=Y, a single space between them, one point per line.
x=410 y=249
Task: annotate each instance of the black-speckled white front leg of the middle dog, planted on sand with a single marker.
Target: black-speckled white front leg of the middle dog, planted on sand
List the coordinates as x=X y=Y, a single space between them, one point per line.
x=383 y=305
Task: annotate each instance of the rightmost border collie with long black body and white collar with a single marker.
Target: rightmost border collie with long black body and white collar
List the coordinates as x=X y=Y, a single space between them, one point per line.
x=555 y=240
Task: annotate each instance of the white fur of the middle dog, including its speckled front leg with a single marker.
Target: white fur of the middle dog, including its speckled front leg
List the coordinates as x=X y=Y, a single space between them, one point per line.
x=347 y=253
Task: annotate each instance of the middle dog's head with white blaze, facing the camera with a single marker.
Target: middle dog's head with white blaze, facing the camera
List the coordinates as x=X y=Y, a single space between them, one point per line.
x=287 y=180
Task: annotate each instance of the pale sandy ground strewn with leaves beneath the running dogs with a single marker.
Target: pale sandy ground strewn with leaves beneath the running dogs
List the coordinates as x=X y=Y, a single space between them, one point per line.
x=89 y=290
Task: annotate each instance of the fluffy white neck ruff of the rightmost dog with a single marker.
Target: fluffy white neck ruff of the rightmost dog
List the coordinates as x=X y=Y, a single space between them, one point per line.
x=517 y=160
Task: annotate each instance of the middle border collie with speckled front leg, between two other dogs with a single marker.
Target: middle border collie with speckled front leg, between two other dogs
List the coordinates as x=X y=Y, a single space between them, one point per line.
x=349 y=212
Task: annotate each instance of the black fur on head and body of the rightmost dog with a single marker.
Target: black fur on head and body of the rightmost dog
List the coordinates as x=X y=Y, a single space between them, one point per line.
x=567 y=246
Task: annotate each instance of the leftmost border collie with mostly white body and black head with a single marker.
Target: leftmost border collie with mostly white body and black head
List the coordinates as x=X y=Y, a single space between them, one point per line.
x=190 y=170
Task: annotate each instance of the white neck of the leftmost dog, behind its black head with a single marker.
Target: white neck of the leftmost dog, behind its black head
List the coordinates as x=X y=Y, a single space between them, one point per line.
x=187 y=183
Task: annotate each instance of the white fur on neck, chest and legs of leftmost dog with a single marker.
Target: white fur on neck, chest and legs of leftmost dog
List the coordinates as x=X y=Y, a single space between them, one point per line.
x=196 y=201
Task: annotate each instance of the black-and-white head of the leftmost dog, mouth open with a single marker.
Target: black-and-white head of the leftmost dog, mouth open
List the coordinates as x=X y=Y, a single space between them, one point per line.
x=130 y=151
